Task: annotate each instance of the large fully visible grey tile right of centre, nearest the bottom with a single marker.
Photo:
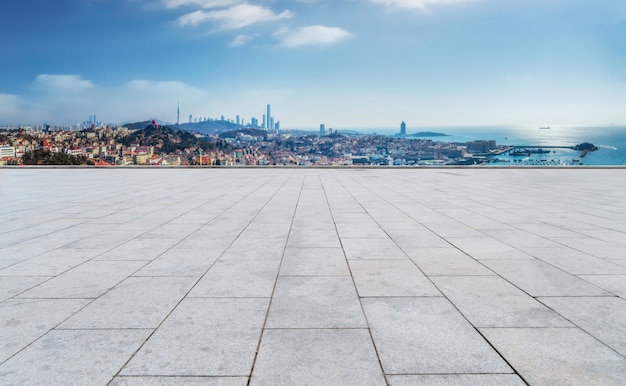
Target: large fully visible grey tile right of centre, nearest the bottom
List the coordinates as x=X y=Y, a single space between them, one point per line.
x=428 y=336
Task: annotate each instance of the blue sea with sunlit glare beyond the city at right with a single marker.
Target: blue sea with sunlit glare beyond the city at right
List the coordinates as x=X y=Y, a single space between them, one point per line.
x=610 y=140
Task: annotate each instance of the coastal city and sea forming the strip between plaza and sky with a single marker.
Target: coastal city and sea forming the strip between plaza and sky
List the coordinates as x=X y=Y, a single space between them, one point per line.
x=151 y=144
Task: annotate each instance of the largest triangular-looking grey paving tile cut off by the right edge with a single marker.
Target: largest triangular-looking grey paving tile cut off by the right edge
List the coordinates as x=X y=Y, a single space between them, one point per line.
x=602 y=317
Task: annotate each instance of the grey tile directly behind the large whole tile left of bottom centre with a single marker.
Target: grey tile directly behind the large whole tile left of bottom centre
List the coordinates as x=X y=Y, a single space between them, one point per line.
x=238 y=278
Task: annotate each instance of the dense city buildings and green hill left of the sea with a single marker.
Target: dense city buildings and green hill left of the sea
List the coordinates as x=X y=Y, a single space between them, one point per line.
x=155 y=144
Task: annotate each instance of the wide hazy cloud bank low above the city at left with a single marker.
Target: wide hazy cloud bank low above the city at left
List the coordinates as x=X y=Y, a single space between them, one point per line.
x=68 y=99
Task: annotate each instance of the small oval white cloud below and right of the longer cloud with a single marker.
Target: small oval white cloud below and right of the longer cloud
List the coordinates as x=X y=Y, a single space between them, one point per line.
x=315 y=35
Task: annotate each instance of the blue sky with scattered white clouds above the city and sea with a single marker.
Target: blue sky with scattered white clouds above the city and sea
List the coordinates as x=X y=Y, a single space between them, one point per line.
x=344 y=63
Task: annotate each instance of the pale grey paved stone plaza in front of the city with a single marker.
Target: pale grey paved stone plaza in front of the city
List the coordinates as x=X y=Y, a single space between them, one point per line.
x=442 y=276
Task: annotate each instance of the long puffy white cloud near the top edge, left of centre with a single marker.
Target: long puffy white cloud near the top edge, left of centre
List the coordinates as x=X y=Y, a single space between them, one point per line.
x=235 y=17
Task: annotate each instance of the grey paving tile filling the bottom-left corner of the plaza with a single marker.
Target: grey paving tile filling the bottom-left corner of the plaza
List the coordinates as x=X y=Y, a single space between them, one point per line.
x=72 y=357
